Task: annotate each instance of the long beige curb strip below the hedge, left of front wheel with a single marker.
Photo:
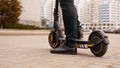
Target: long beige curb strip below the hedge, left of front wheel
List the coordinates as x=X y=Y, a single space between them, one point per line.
x=10 y=32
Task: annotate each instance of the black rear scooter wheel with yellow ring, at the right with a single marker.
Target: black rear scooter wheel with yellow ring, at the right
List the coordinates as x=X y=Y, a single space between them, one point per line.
x=100 y=49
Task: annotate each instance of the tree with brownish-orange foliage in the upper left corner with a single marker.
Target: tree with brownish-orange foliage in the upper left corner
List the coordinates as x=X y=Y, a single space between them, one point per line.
x=10 y=11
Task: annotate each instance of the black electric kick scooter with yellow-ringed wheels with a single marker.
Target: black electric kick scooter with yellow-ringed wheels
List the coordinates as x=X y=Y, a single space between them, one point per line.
x=97 y=41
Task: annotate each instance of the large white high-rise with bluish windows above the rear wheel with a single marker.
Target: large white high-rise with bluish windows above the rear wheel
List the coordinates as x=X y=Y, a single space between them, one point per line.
x=104 y=15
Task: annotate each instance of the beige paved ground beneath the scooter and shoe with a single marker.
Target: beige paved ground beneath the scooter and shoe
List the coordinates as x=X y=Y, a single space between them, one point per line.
x=32 y=51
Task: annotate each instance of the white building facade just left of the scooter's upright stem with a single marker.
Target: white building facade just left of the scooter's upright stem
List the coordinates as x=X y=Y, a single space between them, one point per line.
x=47 y=9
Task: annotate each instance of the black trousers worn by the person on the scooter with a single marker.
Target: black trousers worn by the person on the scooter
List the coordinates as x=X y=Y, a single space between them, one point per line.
x=71 y=23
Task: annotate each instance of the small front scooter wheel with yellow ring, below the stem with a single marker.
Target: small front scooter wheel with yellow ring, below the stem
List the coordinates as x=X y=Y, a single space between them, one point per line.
x=53 y=40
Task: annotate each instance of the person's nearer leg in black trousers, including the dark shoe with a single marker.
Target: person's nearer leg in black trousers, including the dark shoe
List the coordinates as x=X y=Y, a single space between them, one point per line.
x=71 y=25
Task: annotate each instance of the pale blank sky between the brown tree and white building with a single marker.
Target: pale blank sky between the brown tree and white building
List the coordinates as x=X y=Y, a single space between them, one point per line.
x=31 y=10
